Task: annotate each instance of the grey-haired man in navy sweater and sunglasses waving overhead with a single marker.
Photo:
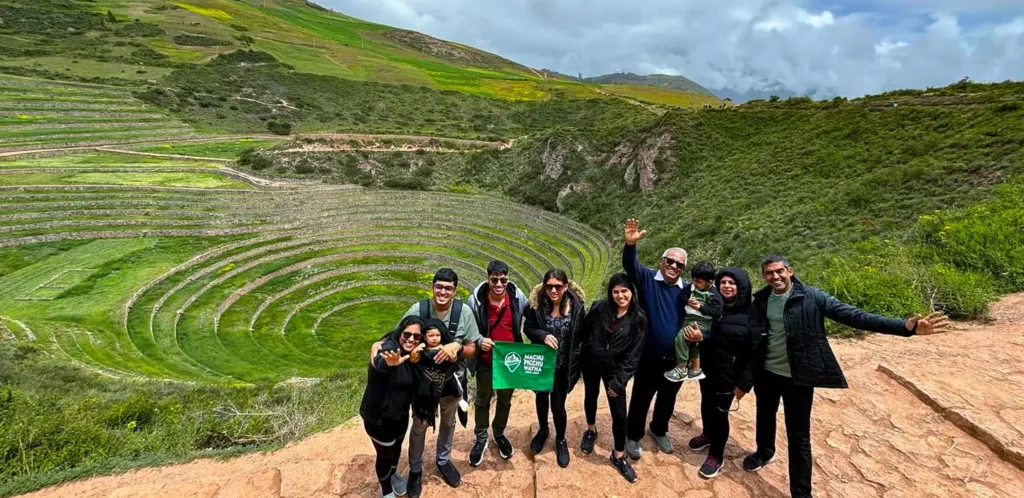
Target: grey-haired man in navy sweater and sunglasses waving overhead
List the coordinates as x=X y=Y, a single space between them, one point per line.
x=662 y=294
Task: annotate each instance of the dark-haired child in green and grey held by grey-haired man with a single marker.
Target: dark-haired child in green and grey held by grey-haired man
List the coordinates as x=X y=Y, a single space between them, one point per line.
x=704 y=304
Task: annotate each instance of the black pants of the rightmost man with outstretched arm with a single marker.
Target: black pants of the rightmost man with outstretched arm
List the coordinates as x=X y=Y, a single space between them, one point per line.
x=770 y=390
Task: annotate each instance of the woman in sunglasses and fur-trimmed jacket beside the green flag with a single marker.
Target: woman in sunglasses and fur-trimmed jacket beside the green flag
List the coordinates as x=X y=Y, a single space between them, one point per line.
x=556 y=313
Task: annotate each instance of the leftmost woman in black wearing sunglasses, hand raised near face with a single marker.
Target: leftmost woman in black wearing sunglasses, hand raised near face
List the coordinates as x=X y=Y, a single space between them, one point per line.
x=392 y=385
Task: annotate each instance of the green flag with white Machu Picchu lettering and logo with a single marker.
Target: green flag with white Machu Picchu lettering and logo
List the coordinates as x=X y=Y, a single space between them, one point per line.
x=519 y=366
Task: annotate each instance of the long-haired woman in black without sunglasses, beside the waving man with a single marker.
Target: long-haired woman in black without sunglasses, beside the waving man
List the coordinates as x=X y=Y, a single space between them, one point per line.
x=608 y=349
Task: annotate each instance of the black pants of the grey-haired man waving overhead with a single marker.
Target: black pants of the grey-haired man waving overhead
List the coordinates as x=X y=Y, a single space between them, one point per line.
x=649 y=383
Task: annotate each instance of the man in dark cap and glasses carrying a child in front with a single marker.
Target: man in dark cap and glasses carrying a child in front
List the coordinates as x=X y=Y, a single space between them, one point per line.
x=443 y=306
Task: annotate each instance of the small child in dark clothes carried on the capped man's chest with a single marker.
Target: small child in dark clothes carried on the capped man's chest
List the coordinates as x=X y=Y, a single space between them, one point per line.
x=438 y=380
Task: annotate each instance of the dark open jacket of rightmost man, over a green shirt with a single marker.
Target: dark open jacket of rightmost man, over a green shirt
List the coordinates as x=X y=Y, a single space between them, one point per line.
x=812 y=360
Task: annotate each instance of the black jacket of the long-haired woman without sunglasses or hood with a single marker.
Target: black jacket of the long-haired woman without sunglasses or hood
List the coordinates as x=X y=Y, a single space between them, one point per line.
x=616 y=354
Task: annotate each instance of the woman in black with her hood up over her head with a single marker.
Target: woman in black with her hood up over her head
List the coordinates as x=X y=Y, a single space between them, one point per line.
x=726 y=357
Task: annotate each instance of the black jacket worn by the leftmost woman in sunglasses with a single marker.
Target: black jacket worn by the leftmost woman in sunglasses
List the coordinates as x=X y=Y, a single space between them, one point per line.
x=390 y=391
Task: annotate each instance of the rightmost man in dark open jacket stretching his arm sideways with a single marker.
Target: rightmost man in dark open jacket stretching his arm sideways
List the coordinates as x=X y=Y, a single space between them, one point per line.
x=795 y=358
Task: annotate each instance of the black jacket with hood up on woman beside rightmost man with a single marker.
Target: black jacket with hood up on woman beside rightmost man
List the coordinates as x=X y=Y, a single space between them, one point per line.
x=728 y=353
